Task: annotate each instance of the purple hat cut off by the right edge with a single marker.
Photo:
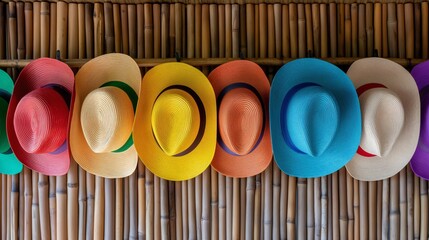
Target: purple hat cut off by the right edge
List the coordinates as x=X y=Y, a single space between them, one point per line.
x=420 y=161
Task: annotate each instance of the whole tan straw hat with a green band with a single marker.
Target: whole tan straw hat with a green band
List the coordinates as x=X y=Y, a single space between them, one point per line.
x=104 y=101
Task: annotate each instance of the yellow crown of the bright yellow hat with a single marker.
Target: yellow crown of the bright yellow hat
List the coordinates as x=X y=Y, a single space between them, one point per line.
x=175 y=121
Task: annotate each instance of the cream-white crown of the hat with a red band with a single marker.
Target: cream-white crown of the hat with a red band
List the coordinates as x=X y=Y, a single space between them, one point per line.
x=382 y=118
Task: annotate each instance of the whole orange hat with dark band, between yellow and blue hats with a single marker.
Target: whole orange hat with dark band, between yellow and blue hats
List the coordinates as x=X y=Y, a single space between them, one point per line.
x=243 y=143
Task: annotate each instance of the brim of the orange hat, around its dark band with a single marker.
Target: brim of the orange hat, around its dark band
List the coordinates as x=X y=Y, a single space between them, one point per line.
x=228 y=74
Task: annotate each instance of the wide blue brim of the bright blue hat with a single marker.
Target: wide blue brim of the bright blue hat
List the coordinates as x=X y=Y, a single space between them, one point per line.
x=347 y=137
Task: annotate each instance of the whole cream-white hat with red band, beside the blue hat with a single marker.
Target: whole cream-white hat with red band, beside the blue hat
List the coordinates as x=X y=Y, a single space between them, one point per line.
x=390 y=106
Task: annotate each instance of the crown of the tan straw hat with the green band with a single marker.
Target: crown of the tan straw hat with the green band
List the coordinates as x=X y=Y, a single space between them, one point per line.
x=107 y=118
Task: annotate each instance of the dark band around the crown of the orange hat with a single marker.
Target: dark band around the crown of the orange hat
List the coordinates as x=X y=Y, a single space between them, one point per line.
x=219 y=100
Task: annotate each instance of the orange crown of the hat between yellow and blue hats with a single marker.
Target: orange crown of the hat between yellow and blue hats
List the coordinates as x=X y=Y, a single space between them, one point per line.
x=240 y=120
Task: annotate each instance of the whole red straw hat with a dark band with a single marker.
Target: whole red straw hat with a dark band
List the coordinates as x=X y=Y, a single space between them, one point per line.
x=38 y=116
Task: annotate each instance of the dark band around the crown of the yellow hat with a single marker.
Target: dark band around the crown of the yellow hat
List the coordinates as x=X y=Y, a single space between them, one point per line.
x=201 y=111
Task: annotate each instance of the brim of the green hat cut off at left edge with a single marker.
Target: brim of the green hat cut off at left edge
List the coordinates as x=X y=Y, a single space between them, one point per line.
x=9 y=164
